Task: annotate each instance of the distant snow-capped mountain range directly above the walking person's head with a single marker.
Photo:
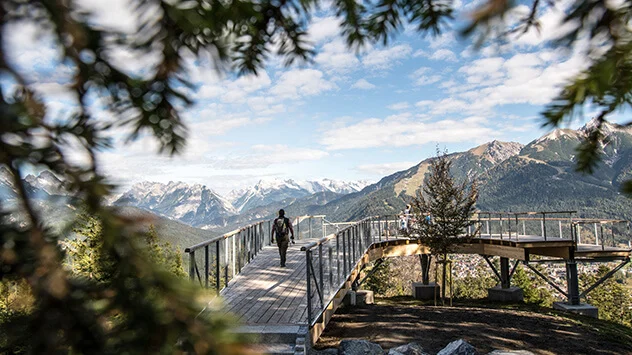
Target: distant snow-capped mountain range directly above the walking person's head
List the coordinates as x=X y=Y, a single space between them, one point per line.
x=274 y=190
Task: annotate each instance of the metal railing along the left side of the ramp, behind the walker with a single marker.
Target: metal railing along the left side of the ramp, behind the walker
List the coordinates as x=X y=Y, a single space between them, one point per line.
x=223 y=257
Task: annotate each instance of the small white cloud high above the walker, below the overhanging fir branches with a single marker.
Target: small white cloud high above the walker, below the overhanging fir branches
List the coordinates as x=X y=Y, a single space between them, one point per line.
x=298 y=83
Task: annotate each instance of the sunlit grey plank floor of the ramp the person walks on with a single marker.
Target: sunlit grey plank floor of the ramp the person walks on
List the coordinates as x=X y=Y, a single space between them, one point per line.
x=264 y=293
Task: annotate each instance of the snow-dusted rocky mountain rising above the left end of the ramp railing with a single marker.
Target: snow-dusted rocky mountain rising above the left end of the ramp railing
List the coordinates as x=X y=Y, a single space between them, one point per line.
x=196 y=204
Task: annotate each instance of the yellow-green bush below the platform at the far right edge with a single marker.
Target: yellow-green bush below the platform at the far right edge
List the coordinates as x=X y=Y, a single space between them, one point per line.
x=611 y=297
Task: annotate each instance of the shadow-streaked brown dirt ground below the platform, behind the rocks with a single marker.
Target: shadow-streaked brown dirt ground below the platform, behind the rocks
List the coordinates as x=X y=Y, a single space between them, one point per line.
x=393 y=322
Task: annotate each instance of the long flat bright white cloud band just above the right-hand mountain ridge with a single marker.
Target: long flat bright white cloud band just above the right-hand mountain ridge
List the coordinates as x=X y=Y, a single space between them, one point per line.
x=401 y=131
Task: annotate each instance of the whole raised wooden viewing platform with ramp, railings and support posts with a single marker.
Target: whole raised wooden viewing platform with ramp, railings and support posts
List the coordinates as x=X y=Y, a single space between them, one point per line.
x=327 y=260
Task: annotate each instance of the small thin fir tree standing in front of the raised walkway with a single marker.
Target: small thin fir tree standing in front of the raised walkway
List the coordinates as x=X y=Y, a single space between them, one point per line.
x=442 y=212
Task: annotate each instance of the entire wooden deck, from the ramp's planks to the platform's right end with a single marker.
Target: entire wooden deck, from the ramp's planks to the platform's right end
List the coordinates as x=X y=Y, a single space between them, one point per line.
x=266 y=294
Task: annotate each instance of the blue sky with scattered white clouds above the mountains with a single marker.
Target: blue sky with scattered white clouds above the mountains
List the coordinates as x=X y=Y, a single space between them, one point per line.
x=347 y=116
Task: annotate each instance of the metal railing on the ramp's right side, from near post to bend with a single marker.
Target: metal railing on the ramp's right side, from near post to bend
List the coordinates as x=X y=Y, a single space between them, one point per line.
x=331 y=260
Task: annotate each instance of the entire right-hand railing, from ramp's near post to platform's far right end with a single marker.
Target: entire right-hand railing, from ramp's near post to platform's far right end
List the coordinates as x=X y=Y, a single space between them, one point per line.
x=331 y=260
